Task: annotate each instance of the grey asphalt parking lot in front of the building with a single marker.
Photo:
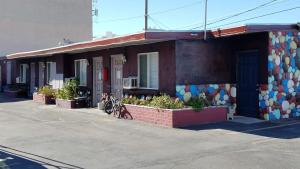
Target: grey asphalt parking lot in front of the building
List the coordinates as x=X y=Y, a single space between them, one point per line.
x=38 y=136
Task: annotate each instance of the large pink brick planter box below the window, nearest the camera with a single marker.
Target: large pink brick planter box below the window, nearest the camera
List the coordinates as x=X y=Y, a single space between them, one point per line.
x=177 y=118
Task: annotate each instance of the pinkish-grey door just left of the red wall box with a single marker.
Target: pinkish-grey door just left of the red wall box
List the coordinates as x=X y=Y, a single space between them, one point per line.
x=97 y=80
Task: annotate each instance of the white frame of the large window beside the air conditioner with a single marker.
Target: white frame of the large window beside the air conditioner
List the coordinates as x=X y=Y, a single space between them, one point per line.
x=148 y=70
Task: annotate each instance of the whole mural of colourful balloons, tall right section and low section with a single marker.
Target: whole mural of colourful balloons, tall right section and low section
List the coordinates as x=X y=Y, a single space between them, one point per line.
x=280 y=97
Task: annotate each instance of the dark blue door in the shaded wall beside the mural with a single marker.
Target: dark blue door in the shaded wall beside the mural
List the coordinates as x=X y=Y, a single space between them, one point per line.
x=247 y=84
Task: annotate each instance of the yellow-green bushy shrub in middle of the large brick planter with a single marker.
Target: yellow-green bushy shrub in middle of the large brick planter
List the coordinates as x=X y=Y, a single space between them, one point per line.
x=166 y=102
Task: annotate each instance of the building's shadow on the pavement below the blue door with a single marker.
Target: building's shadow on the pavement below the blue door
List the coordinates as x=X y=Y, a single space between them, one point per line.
x=285 y=129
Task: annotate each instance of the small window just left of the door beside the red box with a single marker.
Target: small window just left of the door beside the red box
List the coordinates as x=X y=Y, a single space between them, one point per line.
x=81 y=71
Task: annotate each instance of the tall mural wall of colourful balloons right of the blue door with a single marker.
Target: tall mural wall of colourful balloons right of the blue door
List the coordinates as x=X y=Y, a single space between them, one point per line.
x=280 y=98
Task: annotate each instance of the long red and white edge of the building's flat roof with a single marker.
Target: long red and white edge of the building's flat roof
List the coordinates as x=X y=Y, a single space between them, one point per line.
x=151 y=37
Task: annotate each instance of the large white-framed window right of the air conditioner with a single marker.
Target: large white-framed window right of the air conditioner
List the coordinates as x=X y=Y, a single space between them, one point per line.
x=148 y=70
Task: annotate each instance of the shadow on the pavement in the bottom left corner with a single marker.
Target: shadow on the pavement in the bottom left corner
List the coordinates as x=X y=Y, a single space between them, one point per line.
x=15 y=159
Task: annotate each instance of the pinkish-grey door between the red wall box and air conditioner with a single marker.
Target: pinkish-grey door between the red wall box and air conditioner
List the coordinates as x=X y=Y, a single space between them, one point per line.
x=117 y=76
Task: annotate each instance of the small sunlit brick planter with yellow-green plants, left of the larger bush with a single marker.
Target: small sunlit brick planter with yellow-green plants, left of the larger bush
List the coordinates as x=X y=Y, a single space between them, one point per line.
x=44 y=95
